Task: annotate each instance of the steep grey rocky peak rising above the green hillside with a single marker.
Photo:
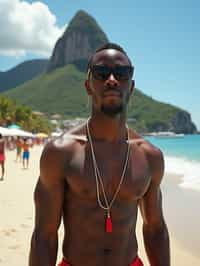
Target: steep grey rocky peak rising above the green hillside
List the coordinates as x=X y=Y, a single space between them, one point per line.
x=81 y=38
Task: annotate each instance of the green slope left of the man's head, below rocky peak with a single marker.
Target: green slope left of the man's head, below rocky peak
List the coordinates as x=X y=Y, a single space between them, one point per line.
x=60 y=91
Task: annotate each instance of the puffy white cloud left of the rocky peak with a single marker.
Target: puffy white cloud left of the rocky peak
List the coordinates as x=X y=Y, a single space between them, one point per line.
x=27 y=27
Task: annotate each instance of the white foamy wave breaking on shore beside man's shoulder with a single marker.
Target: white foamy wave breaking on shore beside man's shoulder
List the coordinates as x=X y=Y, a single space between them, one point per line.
x=188 y=170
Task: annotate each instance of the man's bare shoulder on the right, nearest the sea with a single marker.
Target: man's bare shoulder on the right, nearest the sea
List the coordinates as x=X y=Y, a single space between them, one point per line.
x=153 y=155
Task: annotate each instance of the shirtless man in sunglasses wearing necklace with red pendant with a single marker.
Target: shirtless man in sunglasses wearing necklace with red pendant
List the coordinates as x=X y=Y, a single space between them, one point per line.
x=96 y=176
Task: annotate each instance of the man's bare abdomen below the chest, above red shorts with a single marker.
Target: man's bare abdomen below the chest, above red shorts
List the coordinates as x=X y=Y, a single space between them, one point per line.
x=87 y=242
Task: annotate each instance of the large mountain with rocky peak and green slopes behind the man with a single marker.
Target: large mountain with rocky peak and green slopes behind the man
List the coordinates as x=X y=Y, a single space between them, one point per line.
x=61 y=88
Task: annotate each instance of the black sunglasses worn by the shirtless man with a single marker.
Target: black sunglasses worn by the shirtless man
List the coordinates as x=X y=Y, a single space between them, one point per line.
x=101 y=72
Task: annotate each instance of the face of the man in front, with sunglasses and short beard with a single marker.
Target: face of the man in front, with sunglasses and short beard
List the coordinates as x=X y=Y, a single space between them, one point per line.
x=109 y=88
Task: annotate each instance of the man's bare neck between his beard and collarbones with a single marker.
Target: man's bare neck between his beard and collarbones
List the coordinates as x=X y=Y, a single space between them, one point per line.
x=108 y=129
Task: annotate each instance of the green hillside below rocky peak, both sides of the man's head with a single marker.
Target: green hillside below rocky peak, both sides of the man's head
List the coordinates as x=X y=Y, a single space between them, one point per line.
x=62 y=91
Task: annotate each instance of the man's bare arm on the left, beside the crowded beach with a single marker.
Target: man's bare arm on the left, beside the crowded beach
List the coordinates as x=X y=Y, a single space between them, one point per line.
x=48 y=196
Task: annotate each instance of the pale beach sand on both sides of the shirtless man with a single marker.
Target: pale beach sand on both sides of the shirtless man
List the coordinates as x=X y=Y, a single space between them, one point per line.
x=17 y=216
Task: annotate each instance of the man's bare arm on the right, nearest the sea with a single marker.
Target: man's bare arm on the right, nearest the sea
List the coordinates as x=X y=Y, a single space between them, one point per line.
x=155 y=233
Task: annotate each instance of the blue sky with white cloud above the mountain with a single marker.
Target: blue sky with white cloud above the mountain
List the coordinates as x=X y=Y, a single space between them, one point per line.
x=162 y=38
